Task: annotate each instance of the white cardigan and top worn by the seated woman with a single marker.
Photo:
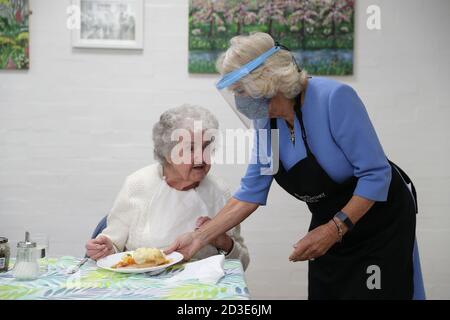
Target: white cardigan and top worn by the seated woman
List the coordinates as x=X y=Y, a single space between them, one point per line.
x=149 y=213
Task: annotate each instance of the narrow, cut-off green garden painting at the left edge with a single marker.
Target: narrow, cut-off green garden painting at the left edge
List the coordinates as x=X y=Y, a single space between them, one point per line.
x=14 y=47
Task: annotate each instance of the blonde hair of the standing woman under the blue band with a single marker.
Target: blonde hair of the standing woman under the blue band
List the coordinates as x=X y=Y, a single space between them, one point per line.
x=277 y=74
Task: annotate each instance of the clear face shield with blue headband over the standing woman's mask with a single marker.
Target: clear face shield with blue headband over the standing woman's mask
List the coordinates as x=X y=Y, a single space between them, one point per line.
x=245 y=107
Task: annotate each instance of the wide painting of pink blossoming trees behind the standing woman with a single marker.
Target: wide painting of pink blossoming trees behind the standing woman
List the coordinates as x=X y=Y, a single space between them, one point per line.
x=318 y=32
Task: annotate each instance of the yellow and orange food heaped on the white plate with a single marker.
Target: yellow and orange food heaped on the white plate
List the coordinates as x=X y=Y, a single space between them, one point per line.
x=142 y=258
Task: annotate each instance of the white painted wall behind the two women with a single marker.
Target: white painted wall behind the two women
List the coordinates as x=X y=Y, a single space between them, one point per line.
x=75 y=124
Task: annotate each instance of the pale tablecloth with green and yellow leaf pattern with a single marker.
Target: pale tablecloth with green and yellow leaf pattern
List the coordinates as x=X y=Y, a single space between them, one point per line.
x=91 y=282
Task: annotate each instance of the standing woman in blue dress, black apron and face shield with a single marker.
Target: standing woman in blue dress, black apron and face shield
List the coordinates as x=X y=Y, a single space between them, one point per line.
x=361 y=237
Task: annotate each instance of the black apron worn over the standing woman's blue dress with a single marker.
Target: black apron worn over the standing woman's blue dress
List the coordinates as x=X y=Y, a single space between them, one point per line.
x=383 y=237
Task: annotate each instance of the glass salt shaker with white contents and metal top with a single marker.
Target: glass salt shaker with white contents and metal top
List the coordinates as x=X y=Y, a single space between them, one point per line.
x=26 y=266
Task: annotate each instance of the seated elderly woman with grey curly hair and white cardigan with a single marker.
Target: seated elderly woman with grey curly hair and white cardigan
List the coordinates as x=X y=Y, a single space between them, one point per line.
x=160 y=201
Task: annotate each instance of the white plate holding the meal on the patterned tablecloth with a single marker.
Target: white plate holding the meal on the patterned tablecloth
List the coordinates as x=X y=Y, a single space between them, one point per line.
x=107 y=262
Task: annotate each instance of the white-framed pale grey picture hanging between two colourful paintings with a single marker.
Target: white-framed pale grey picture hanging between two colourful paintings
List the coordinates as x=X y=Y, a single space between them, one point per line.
x=117 y=24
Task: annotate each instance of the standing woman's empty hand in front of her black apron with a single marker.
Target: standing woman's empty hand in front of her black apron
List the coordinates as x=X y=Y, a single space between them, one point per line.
x=316 y=243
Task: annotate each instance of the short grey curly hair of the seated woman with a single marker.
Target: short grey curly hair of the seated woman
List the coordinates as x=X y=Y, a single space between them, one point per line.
x=181 y=117
